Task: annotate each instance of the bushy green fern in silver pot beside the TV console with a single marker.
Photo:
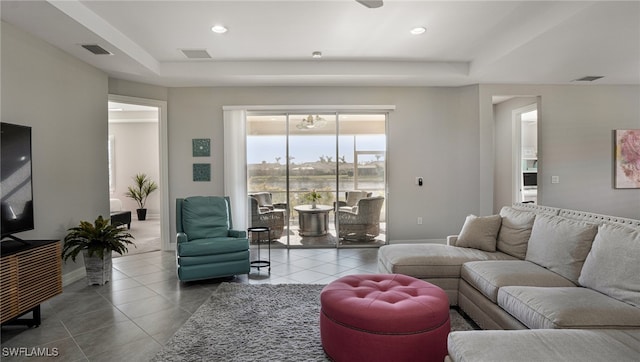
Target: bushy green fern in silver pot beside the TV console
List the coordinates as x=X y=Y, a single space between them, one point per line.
x=96 y=241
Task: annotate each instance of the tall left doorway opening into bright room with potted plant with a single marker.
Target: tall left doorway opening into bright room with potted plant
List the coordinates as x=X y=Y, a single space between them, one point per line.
x=135 y=147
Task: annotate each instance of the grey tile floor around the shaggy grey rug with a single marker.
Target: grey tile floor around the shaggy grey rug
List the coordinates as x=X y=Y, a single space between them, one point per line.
x=131 y=317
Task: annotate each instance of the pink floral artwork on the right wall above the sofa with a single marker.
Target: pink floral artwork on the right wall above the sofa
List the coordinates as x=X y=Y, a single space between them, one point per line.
x=627 y=159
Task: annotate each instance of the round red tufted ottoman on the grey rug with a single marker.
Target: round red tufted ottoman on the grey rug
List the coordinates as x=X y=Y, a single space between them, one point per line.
x=384 y=317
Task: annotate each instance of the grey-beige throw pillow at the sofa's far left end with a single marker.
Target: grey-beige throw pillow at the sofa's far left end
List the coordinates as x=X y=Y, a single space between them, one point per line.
x=480 y=232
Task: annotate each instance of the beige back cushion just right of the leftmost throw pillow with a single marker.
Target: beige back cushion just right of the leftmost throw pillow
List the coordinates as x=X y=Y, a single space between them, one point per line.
x=515 y=231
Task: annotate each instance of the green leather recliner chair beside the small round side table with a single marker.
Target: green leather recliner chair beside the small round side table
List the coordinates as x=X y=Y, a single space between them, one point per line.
x=208 y=247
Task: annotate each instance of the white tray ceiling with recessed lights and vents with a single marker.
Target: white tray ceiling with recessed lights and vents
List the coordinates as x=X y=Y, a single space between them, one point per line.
x=271 y=42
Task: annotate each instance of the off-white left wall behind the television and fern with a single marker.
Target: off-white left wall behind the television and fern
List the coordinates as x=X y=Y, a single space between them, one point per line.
x=64 y=101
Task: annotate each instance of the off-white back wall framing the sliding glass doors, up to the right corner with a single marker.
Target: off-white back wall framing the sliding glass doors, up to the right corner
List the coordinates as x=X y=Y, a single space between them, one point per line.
x=433 y=133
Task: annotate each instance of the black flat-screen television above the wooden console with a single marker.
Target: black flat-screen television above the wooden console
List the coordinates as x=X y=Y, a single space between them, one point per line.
x=16 y=185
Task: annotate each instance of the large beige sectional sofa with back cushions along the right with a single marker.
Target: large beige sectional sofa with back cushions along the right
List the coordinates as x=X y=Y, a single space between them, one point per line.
x=533 y=267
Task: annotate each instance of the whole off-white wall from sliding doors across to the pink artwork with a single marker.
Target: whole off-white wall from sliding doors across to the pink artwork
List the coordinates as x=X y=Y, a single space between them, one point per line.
x=447 y=136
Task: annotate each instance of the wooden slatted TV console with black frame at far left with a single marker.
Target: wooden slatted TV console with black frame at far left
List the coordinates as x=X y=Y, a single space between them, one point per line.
x=30 y=273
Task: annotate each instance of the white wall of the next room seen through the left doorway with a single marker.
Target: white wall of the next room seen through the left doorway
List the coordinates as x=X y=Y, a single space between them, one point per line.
x=136 y=151
